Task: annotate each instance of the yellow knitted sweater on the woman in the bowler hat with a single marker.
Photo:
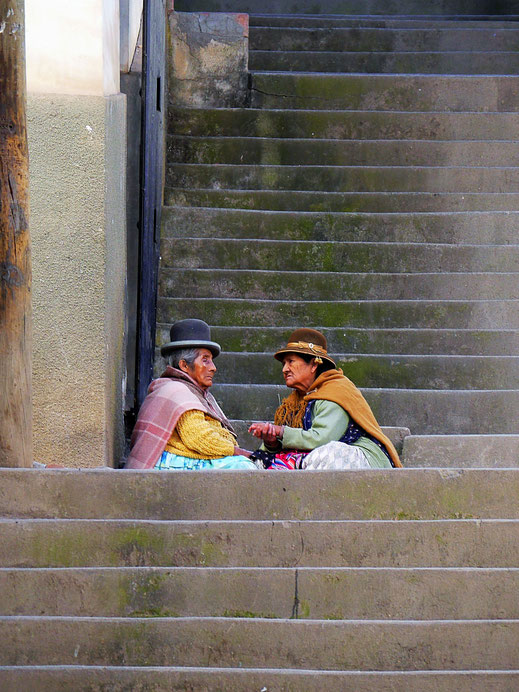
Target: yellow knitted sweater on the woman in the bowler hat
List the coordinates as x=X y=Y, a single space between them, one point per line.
x=198 y=436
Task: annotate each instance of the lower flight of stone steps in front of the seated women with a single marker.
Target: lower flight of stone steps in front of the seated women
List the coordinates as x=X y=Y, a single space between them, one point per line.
x=372 y=580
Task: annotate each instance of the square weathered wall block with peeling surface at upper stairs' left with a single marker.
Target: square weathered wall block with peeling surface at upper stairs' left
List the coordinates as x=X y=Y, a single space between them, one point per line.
x=208 y=59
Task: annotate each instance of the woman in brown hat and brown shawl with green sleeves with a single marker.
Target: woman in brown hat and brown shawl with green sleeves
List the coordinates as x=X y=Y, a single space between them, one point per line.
x=325 y=423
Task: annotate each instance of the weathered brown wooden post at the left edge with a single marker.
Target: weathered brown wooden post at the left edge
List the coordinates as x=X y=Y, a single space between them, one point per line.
x=15 y=263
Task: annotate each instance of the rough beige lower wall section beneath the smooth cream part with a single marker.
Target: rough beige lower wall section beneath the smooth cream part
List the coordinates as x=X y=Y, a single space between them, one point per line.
x=76 y=146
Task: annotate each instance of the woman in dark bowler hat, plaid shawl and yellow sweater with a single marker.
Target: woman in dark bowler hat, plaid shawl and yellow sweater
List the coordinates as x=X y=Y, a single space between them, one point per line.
x=180 y=426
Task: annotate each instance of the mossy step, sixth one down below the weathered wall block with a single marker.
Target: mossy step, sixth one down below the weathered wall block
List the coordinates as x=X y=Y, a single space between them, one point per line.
x=327 y=256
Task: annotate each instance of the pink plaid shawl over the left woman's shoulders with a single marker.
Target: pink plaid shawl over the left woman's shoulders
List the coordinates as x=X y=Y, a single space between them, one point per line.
x=168 y=398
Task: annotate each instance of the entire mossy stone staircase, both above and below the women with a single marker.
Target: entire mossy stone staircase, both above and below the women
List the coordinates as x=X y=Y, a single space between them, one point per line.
x=378 y=206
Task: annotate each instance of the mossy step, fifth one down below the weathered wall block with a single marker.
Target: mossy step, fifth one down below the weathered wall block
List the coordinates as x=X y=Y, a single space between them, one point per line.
x=492 y=227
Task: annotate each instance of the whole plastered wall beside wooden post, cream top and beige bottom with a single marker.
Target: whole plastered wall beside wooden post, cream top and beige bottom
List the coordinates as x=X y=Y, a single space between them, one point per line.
x=77 y=148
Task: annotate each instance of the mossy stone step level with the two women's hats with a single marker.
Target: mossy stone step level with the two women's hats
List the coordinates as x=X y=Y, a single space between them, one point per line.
x=362 y=340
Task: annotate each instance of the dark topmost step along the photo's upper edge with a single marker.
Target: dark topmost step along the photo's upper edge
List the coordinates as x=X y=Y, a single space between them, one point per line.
x=385 y=8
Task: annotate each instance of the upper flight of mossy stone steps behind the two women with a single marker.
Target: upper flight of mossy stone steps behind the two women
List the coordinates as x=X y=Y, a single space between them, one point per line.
x=371 y=190
